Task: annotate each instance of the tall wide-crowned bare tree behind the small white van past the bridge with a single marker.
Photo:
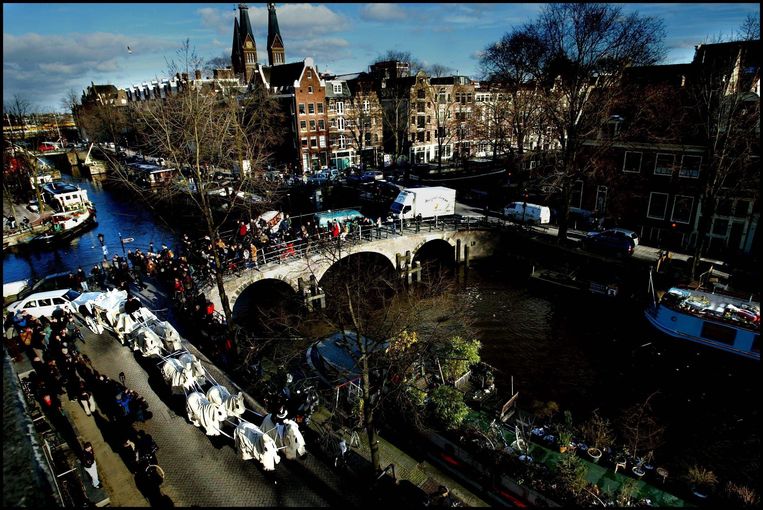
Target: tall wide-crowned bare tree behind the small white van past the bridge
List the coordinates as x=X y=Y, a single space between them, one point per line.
x=577 y=49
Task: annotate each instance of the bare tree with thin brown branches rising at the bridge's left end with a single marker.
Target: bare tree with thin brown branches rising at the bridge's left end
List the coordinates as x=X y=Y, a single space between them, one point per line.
x=199 y=131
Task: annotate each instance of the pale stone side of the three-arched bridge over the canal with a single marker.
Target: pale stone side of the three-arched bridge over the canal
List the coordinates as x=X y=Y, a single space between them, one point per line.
x=466 y=243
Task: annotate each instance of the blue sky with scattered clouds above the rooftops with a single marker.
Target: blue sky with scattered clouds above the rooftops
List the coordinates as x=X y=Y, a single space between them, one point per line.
x=50 y=49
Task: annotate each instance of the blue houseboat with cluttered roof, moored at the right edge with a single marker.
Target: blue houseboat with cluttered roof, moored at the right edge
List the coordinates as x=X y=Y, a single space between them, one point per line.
x=714 y=319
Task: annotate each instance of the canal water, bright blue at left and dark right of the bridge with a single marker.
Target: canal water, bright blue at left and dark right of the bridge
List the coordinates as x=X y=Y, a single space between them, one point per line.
x=581 y=353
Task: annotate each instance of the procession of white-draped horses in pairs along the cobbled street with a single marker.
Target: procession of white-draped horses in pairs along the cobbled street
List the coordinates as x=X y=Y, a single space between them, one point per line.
x=209 y=405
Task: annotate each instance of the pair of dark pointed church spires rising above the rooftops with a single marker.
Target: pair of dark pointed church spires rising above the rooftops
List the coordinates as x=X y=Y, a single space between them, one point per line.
x=244 y=51
